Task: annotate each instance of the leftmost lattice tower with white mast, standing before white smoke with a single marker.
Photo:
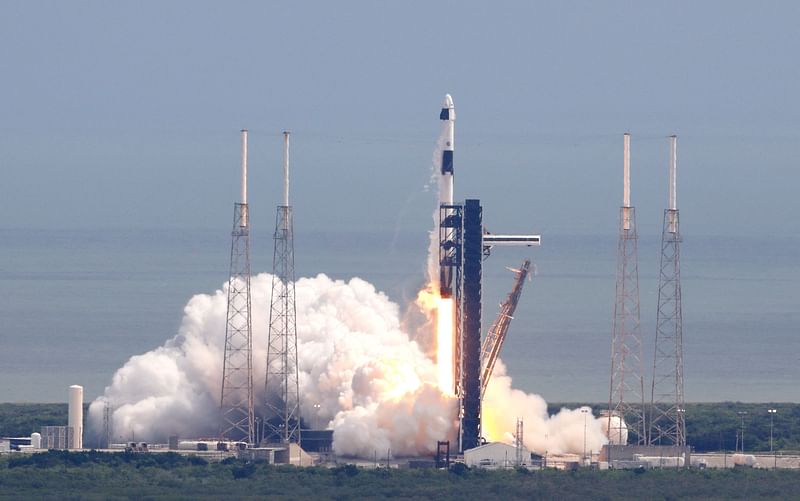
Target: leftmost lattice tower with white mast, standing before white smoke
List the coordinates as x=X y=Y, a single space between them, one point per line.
x=236 y=400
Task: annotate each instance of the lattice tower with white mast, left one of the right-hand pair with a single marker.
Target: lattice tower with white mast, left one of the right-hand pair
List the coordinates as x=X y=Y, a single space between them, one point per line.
x=626 y=397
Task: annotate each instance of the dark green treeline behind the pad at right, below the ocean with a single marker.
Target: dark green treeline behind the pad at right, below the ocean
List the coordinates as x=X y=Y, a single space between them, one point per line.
x=718 y=426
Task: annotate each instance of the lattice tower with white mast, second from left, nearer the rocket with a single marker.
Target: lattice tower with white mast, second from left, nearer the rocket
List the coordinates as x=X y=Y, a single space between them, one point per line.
x=282 y=398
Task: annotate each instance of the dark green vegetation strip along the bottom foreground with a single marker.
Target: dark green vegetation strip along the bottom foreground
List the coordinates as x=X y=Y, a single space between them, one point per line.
x=93 y=475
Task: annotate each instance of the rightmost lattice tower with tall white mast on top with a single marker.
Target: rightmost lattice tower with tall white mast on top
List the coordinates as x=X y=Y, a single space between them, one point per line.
x=667 y=424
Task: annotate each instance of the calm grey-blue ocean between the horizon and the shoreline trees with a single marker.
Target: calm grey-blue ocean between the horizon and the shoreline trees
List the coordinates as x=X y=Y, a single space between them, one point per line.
x=76 y=304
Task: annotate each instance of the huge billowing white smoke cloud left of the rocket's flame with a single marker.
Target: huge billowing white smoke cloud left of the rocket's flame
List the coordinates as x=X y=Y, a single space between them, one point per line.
x=359 y=373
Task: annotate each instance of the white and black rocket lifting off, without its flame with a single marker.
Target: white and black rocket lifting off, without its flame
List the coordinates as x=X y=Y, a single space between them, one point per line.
x=446 y=216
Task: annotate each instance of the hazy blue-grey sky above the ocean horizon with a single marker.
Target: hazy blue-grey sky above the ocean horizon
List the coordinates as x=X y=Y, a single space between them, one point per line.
x=128 y=113
